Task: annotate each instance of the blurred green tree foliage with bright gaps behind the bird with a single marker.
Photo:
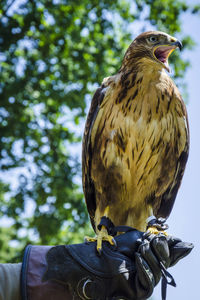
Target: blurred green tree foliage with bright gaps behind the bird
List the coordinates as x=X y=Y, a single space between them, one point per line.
x=52 y=56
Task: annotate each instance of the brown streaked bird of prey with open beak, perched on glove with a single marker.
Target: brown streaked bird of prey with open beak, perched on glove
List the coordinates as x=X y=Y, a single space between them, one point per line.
x=136 y=139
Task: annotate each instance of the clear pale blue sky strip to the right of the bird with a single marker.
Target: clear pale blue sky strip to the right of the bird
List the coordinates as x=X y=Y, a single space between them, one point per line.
x=184 y=219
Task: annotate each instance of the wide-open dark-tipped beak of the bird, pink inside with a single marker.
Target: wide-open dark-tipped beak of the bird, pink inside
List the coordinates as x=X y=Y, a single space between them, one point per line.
x=162 y=52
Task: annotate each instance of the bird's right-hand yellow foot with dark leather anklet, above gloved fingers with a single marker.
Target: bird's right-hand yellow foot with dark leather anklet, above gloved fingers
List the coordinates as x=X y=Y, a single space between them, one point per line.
x=156 y=226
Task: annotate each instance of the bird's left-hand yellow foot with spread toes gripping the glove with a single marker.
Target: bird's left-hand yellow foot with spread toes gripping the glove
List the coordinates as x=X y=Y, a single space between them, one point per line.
x=102 y=234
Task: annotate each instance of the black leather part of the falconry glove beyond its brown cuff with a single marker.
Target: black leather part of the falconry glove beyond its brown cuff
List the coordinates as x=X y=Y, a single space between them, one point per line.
x=129 y=271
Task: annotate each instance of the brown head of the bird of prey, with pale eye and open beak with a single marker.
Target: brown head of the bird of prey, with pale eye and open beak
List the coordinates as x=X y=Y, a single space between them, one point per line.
x=154 y=46
